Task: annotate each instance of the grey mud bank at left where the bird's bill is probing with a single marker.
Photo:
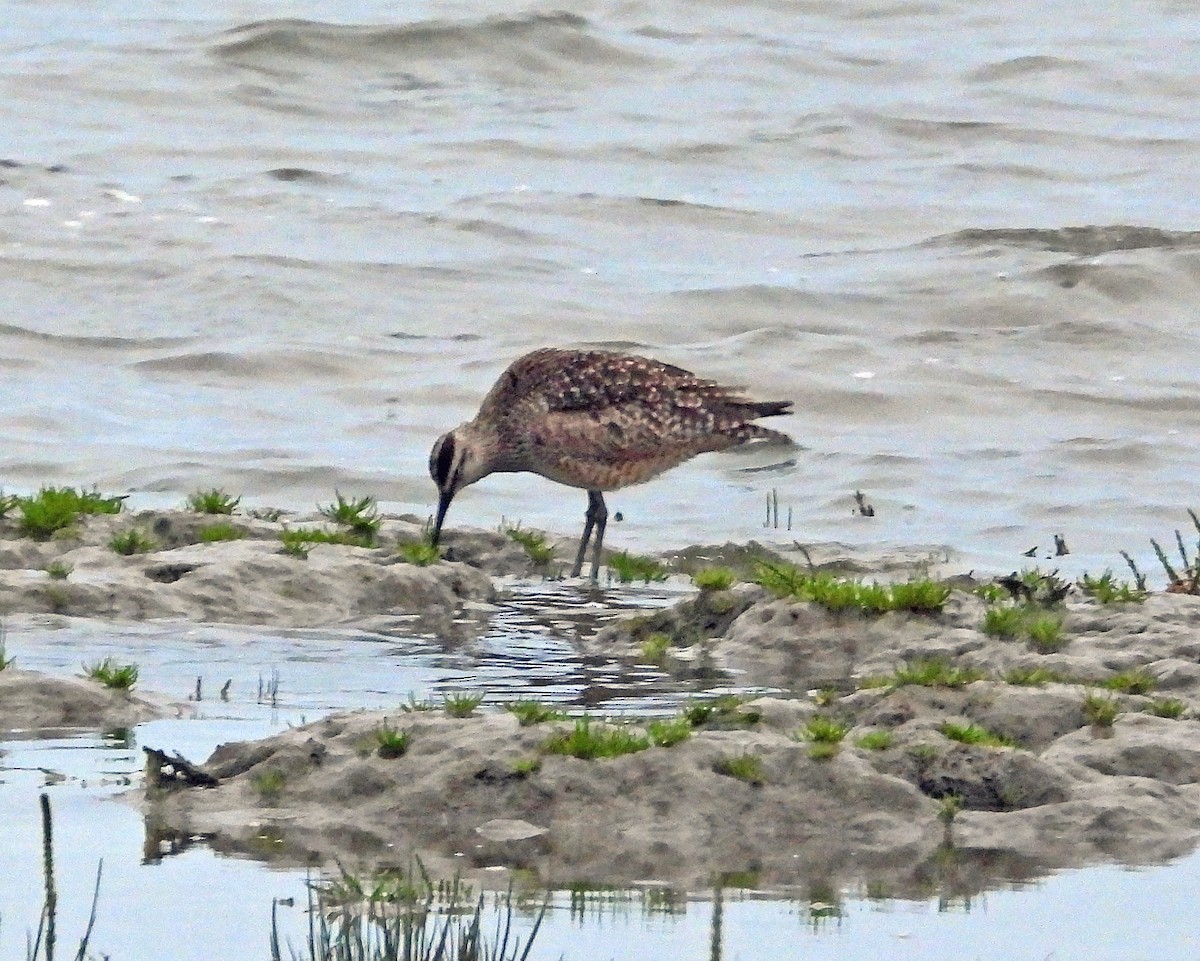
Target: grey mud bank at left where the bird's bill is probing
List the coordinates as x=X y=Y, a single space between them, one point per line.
x=245 y=580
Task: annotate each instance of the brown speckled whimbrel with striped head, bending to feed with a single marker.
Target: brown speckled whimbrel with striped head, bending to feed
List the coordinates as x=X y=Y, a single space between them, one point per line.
x=595 y=419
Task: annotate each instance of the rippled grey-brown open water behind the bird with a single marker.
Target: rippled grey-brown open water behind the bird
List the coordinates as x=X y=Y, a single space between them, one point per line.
x=279 y=248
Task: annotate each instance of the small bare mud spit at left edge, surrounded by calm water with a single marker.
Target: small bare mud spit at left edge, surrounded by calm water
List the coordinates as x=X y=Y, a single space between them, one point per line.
x=37 y=705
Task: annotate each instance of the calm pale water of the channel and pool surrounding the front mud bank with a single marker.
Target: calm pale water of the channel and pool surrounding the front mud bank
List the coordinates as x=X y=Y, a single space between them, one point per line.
x=151 y=885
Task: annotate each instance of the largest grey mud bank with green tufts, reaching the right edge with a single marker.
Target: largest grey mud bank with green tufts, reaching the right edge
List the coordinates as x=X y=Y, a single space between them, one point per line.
x=1040 y=780
